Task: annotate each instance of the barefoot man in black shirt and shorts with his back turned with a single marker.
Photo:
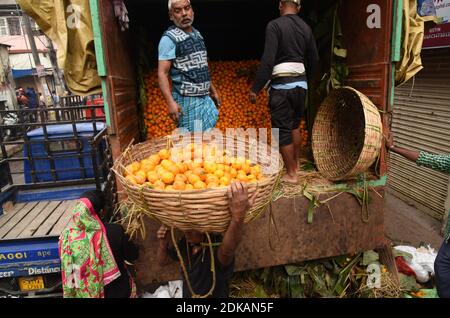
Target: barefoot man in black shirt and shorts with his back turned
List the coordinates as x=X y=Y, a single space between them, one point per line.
x=290 y=57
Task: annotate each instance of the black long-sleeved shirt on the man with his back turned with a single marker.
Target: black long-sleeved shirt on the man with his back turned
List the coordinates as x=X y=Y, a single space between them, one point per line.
x=288 y=39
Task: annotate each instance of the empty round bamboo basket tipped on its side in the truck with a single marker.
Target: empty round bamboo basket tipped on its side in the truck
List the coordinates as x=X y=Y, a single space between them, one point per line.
x=347 y=134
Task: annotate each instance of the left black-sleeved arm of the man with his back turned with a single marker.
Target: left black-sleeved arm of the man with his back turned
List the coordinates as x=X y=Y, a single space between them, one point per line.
x=265 y=69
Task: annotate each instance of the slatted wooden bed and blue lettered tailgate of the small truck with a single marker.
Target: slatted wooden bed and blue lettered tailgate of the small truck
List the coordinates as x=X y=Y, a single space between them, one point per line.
x=29 y=237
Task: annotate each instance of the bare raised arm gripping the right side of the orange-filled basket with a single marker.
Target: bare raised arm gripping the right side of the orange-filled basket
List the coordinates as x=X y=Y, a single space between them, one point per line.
x=239 y=204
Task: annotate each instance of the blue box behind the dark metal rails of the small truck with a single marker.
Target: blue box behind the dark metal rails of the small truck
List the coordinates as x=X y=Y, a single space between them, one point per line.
x=61 y=145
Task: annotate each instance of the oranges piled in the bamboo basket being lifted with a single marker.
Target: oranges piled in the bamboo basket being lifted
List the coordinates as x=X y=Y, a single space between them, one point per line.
x=191 y=168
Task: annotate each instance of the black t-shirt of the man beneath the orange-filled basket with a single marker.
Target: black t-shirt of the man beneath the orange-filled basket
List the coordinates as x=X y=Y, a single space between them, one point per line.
x=198 y=267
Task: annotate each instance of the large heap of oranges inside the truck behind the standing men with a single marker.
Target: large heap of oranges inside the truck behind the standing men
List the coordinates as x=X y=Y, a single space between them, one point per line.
x=232 y=80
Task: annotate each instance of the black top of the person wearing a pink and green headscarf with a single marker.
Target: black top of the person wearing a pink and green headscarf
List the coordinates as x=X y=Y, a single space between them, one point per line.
x=123 y=250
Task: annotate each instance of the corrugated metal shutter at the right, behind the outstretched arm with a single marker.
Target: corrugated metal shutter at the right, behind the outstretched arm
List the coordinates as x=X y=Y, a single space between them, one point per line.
x=421 y=121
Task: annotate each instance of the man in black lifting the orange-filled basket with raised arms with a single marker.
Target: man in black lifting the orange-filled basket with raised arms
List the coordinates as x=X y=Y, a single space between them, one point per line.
x=195 y=250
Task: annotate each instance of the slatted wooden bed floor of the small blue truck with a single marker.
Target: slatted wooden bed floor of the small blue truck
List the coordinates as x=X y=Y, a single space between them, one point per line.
x=35 y=219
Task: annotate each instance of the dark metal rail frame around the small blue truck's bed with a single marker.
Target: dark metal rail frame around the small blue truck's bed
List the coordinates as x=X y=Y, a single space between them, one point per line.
x=72 y=112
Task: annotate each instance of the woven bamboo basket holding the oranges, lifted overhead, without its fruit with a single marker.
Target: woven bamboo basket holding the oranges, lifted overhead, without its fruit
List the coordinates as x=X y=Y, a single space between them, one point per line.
x=201 y=210
